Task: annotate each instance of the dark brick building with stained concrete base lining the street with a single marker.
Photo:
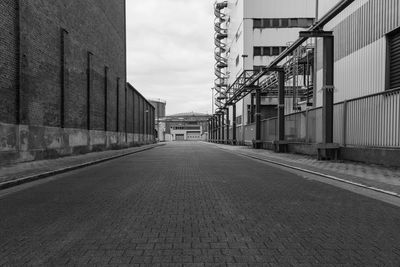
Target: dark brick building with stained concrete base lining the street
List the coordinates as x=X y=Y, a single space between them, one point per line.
x=63 y=80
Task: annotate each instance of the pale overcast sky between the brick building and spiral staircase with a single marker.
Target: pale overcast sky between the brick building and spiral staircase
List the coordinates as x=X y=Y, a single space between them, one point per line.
x=170 y=52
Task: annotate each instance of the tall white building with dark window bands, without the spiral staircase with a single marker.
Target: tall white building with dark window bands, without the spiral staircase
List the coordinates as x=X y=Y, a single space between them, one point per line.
x=258 y=31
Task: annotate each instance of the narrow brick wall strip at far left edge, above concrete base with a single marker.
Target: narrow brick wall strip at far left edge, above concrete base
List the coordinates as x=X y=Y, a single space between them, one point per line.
x=8 y=60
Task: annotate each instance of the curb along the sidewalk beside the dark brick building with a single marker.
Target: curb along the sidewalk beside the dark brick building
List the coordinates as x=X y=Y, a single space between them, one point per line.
x=27 y=179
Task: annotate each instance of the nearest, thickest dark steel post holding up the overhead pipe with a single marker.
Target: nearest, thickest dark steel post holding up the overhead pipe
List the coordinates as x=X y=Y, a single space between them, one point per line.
x=328 y=88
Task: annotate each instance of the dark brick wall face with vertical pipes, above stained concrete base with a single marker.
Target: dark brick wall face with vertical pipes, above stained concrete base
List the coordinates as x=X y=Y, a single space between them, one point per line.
x=95 y=26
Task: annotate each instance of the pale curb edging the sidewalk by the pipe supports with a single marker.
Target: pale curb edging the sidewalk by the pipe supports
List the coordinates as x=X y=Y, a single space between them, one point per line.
x=393 y=194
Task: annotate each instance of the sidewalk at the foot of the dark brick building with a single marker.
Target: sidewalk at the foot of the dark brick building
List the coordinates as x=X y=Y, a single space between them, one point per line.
x=19 y=173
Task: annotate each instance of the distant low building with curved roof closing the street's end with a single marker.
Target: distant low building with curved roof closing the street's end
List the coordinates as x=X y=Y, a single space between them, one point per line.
x=184 y=127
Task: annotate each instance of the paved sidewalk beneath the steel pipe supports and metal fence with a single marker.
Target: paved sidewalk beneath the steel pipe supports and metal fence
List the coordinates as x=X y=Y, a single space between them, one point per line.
x=382 y=178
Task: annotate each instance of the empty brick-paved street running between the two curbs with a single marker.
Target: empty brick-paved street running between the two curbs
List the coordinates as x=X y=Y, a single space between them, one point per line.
x=193 y=204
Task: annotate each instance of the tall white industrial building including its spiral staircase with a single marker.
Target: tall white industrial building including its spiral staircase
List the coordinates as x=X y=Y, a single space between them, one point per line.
x=249 y=35
